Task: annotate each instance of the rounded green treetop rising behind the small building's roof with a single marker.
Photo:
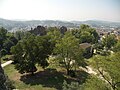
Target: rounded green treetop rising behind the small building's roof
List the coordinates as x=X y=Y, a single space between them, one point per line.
x=86 y=34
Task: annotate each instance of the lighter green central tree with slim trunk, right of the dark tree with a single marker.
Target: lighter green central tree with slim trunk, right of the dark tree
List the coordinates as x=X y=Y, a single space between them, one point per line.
x=69 y=50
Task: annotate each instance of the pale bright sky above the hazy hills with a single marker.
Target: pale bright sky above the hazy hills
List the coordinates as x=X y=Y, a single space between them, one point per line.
x=67 y=10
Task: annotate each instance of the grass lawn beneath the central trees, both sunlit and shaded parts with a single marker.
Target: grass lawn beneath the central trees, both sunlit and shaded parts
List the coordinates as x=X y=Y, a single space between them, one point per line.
x=49 y=79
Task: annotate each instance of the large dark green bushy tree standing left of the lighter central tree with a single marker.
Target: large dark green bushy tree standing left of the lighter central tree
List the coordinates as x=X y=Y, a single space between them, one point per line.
x=31 y=51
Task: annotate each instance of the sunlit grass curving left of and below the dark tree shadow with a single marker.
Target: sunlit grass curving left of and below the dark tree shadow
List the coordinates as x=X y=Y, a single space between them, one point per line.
x=13 y=75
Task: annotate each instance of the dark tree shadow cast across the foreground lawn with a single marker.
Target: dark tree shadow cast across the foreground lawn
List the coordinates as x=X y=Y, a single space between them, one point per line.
x=48 y=78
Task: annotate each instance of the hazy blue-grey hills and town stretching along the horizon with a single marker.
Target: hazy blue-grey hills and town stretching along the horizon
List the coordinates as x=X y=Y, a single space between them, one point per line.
x=26 y=25
